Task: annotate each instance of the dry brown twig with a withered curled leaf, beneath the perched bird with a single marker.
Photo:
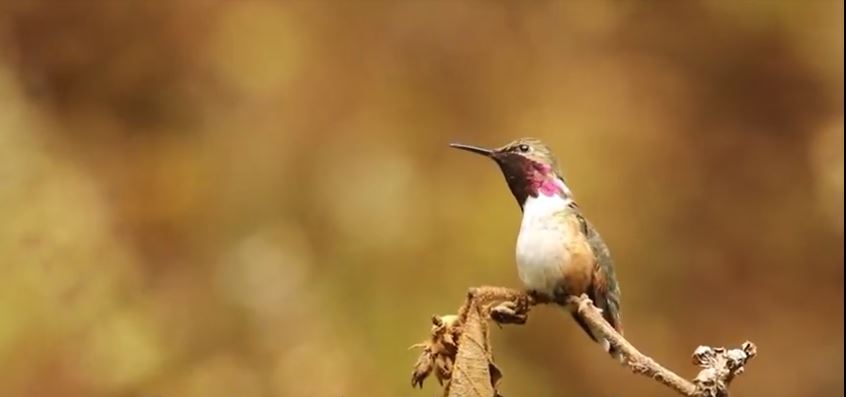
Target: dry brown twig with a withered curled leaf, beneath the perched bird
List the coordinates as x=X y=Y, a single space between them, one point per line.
x=459 y=352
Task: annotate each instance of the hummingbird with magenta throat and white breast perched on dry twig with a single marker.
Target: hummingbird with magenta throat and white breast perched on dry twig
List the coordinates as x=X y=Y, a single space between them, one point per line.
x=559 y=253
